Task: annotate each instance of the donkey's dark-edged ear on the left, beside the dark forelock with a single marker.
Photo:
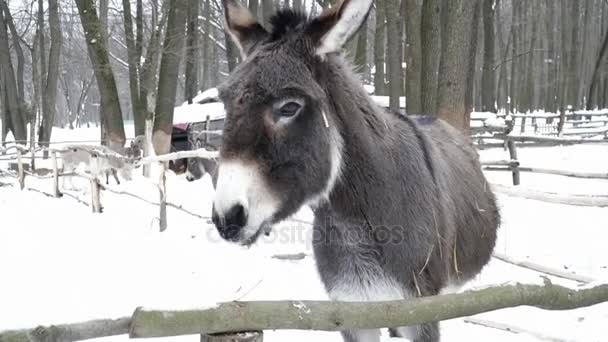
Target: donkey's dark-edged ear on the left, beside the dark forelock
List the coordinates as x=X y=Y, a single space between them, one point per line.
x=244 y=29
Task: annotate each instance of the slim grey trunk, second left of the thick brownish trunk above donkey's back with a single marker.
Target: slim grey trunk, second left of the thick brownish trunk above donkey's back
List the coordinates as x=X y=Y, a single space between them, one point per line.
x=413 y=58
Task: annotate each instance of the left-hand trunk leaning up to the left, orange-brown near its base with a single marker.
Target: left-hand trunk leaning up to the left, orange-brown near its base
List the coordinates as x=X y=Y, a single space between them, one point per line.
x=98 y=54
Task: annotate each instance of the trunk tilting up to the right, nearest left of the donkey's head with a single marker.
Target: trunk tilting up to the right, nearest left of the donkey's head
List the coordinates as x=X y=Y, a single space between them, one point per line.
x=168 y=76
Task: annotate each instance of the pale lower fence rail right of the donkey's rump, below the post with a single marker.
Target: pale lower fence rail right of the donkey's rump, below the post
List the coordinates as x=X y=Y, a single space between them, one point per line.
x=551 y=197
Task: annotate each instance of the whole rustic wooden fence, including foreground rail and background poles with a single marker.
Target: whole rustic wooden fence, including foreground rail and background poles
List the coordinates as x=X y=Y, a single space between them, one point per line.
x=245 y=321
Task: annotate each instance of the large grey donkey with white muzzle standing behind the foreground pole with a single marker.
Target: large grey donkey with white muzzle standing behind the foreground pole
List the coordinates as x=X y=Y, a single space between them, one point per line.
x=401 y=206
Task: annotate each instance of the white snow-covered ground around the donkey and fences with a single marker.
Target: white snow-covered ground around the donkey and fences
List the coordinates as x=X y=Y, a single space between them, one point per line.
x=60 y=263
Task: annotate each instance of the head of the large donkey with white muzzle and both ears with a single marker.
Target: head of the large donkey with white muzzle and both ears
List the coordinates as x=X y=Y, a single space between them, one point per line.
x=281 y=148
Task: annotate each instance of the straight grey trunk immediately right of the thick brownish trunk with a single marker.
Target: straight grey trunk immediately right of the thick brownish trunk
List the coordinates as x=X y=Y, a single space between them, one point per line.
x=488 y=77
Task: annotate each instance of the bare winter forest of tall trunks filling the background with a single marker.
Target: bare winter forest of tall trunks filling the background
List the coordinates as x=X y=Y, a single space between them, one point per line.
x=74 y=63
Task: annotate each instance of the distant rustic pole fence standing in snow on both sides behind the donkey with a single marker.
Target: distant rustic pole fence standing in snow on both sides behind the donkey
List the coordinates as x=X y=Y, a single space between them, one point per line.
x=512 y=165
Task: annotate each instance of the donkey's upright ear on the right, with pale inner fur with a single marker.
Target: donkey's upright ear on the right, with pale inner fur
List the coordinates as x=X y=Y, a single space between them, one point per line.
x=335 y=26
